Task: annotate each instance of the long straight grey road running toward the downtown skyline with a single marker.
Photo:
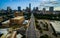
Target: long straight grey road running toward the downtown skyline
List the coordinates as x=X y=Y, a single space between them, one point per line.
x=31 y=30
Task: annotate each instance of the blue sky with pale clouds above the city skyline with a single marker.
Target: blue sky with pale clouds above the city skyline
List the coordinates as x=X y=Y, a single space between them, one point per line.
x=34 y=3
